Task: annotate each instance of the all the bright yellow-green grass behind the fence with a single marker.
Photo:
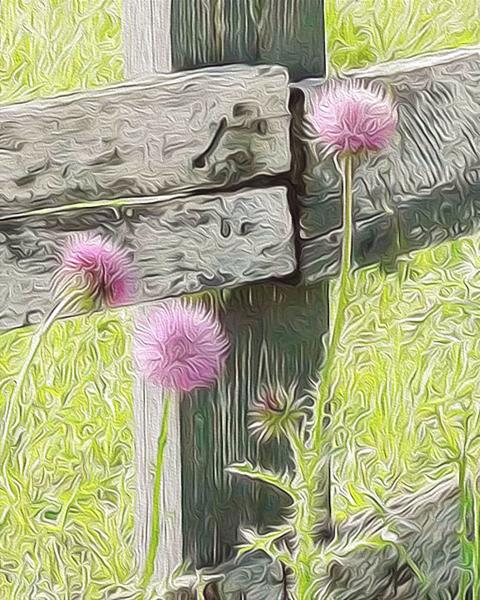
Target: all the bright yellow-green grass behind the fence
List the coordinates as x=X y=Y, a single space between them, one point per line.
x=67 y=531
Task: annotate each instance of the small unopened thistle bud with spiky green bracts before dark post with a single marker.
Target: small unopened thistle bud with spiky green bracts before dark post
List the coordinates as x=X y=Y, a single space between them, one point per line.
x=274 y=413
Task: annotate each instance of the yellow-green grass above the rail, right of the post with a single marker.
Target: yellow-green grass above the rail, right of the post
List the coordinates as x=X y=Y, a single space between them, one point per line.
x=364 y=32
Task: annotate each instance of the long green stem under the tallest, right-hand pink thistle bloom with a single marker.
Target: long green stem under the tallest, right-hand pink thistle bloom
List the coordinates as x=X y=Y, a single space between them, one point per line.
x=321 y=441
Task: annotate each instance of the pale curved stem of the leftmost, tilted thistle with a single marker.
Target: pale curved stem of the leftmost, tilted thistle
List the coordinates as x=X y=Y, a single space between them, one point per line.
x=58 y=309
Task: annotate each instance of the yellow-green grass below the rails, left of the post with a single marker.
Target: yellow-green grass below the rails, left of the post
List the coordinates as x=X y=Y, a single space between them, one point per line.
x=71 y=472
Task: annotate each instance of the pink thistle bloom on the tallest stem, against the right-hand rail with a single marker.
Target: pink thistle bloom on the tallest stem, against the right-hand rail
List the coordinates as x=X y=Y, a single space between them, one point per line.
x=352 y=116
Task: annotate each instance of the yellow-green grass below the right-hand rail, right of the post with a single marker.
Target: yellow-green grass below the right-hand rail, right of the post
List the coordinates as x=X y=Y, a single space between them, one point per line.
x=410 y=354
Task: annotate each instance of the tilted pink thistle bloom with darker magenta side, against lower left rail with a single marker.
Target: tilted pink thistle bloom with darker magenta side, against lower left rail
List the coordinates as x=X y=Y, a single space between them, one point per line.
x=104 y=267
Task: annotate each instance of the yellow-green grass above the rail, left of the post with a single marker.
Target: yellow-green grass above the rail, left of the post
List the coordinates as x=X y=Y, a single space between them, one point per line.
x=51 y=46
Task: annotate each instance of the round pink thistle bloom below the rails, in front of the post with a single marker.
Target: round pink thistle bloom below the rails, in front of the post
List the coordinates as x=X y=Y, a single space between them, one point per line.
x=181 y=347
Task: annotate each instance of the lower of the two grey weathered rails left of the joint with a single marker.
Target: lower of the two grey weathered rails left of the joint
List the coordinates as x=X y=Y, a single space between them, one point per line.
x=179 y=246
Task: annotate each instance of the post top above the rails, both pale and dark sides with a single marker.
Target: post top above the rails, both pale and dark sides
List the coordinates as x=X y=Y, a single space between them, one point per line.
x=161 y=35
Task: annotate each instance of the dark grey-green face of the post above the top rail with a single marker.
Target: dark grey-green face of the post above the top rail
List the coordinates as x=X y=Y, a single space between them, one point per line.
x=286 y=32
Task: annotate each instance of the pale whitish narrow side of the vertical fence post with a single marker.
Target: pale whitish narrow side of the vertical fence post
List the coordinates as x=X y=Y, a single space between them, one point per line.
x=146 y=35
